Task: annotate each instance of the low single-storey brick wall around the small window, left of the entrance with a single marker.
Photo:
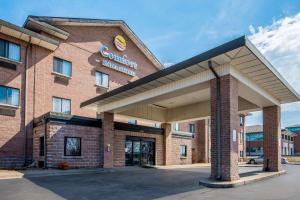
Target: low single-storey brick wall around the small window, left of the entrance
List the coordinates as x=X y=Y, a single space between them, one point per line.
x=90 y=145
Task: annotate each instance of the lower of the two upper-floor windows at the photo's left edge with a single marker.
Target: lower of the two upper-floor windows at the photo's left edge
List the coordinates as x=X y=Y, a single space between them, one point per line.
x=9 y=96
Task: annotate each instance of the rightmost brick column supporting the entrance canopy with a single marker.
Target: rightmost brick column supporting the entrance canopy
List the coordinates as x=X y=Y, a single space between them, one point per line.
x=272 y=138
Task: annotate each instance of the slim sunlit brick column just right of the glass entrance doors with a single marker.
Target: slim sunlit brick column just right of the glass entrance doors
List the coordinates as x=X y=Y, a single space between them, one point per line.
x=167 y=143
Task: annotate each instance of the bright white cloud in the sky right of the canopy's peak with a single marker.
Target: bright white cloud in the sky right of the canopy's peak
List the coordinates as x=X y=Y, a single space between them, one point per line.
x=280 y=43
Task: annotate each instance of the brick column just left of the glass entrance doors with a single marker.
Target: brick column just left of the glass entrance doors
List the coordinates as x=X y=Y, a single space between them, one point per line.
x=106 y=142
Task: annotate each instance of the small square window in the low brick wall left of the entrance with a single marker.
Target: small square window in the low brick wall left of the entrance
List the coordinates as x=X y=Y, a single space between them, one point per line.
x=72 y=146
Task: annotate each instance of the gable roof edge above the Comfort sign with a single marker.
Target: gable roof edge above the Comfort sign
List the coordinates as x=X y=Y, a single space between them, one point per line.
x=156 y=62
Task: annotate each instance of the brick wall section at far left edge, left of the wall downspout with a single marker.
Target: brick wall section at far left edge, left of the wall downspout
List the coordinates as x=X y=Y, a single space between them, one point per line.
x=12 y=127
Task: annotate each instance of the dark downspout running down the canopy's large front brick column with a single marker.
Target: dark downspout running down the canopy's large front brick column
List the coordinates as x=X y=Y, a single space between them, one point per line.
x=218 y=119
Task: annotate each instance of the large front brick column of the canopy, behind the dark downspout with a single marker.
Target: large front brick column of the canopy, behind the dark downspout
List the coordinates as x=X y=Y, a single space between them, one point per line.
x=229 y=129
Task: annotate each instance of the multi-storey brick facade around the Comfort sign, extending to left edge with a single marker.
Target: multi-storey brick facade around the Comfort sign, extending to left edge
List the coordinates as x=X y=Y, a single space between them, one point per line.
x=82 y=49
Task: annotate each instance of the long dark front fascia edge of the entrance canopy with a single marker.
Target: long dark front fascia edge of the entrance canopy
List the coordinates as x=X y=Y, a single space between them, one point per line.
x=231 y=45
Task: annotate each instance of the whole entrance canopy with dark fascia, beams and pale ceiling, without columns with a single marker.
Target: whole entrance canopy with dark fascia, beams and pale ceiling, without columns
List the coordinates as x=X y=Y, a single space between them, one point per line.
x=182 y=92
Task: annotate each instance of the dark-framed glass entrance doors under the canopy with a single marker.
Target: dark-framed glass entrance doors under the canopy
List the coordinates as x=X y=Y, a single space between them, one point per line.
x=139 y=151
